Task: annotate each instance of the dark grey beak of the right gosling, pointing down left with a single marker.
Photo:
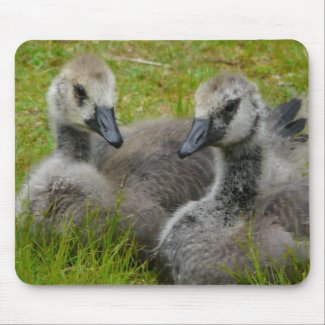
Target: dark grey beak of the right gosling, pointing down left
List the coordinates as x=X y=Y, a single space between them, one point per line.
x=198 y=137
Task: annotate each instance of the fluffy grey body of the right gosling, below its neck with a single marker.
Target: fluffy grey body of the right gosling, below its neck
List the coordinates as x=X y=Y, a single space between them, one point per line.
x=197 y=248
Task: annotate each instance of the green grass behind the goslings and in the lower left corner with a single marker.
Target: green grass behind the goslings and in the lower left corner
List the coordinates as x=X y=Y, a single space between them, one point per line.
x=279 y=68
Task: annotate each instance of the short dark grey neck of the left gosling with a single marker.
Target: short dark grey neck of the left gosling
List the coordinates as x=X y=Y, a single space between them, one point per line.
x=73 y=143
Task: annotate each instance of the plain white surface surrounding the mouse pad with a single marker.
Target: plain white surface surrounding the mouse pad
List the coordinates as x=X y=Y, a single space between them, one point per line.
x=164 y=19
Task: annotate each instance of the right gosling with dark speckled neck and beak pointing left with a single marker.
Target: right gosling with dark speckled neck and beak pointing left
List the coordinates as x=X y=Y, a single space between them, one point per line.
x=202 y=238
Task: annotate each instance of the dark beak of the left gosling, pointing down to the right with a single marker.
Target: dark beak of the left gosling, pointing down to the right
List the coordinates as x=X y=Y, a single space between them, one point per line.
x=104 y=123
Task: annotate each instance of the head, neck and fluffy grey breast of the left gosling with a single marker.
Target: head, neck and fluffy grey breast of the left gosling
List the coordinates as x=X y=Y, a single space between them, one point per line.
x=65 y=185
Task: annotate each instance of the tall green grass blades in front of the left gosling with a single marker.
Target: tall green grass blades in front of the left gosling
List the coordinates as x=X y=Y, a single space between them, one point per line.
x=77 y=255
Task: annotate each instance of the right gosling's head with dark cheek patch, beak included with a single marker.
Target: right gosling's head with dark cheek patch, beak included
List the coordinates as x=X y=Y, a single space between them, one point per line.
x=228 y=109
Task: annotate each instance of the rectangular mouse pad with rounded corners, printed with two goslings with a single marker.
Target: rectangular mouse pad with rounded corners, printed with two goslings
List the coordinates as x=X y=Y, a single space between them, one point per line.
x=162 y=162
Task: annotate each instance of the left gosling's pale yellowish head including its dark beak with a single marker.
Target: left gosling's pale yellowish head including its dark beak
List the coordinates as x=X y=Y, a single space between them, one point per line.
x=83 y=97
